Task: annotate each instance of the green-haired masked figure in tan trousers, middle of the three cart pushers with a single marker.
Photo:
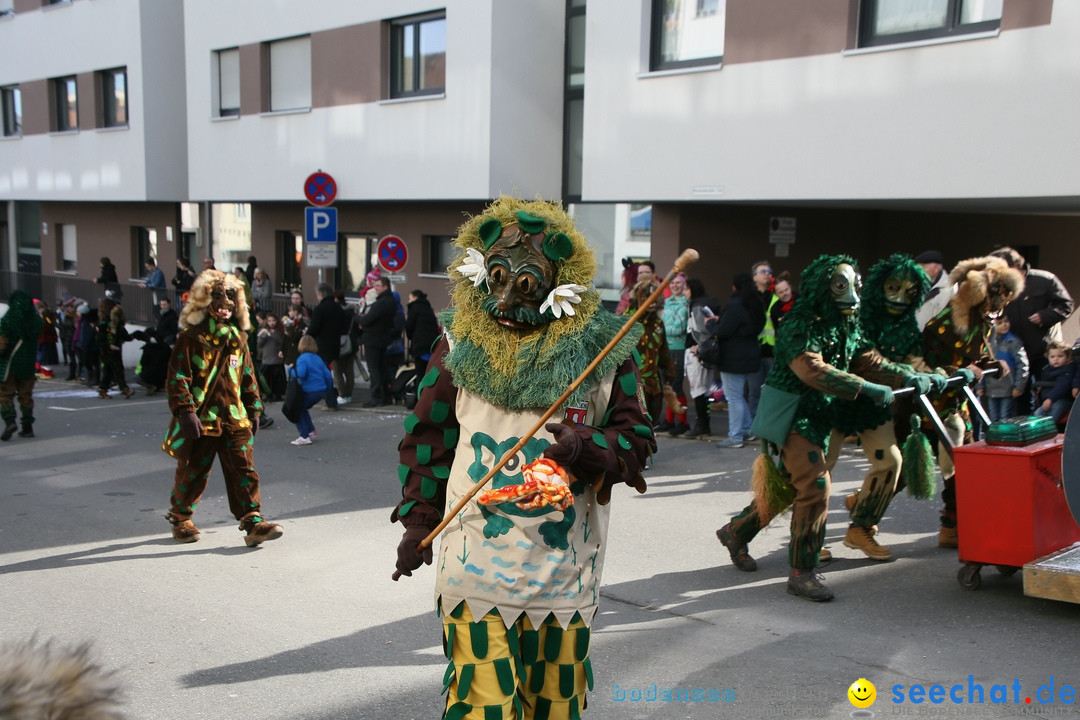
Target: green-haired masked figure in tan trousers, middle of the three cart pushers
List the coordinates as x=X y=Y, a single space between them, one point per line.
x=894 y=292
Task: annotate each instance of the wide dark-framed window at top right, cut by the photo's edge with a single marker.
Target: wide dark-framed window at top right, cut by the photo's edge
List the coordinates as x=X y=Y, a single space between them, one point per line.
x=889 y=22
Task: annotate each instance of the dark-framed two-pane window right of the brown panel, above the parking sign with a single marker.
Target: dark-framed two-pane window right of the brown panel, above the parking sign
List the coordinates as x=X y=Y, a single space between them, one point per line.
x=418 y=56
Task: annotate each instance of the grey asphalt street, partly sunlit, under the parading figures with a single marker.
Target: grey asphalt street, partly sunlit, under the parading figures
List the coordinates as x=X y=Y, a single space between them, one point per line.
x=312 y=628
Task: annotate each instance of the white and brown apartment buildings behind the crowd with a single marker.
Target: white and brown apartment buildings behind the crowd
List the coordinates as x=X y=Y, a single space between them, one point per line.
x=748 y=129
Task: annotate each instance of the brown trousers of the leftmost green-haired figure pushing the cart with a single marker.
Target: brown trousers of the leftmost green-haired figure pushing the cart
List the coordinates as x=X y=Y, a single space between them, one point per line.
x=803 y=466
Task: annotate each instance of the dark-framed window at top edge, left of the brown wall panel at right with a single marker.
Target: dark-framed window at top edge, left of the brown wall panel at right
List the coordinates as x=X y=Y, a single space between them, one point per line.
x=687 y=34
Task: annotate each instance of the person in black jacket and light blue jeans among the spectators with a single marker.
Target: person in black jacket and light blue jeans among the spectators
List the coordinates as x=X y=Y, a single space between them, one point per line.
x=738 y=329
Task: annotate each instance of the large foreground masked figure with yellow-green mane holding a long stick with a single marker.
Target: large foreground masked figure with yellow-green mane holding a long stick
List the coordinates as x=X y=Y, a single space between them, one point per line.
x=519 y=589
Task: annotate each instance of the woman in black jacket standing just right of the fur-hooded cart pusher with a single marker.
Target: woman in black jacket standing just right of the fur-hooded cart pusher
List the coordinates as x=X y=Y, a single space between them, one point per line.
x=1035 y=317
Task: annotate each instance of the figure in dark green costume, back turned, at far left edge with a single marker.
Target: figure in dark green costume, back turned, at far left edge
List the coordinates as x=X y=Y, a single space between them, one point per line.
x=20 y=329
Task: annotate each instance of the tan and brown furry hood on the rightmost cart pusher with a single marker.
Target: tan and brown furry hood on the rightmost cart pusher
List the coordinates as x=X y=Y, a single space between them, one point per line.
x=984 y=287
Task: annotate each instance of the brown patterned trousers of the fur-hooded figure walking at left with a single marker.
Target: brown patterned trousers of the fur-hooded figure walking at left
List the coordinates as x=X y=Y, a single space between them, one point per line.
x=234 y=449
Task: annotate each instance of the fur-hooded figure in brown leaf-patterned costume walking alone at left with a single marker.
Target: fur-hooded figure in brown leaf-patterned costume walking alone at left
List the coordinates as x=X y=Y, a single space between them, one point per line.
x=214 y=399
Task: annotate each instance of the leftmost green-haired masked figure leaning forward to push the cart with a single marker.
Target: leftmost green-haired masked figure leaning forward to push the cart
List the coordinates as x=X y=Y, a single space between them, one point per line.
x=821 y=357
